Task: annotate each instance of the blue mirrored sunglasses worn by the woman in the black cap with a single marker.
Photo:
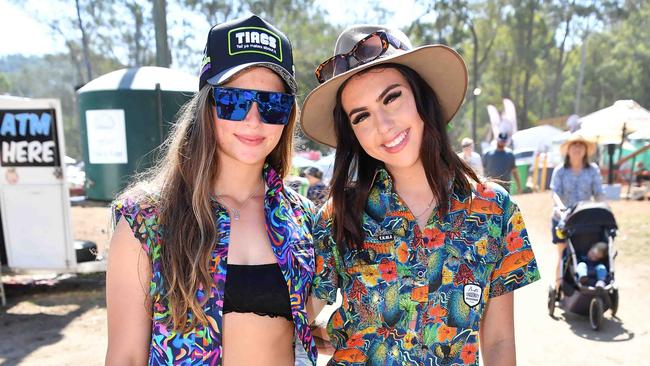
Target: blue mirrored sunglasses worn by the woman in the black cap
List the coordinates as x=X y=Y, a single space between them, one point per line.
x=233 y=104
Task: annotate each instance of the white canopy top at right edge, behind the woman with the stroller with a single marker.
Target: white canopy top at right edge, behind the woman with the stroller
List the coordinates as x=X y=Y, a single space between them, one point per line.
x=606 y=125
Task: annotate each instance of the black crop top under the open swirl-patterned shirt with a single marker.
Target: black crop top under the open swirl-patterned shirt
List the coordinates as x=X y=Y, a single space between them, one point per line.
x=259 y=289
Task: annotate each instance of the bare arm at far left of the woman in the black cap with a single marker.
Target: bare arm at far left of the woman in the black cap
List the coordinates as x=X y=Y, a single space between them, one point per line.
x=127 y=300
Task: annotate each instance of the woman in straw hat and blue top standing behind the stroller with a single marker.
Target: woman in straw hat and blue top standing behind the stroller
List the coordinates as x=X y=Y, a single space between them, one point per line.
x=574 y=181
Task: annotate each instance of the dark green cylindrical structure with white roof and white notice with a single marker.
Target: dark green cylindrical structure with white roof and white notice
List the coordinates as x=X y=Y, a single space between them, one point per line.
x=125 y=115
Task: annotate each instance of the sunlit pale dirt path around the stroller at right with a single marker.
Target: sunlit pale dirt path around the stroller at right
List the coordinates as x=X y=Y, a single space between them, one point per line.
x=568 y=339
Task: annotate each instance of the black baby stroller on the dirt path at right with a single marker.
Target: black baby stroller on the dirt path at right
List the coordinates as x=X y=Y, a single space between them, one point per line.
x=584 y=225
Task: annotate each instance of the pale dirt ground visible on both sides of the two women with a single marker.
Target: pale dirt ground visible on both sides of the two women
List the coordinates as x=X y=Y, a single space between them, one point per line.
x=62 y=320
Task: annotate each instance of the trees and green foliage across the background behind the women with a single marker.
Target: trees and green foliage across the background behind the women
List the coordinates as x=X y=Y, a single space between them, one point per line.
x=528 y=51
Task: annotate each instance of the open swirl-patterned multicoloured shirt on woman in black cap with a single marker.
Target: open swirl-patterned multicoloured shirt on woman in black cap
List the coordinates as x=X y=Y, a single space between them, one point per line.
x=288 y=224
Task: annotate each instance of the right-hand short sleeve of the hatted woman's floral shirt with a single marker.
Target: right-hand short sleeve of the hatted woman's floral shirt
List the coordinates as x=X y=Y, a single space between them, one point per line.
x=517 y=266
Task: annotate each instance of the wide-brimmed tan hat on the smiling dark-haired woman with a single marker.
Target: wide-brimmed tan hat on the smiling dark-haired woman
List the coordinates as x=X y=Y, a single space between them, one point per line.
x=440 y=66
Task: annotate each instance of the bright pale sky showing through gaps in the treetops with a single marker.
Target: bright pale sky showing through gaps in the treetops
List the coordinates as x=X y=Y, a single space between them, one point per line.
x=21 y=33
